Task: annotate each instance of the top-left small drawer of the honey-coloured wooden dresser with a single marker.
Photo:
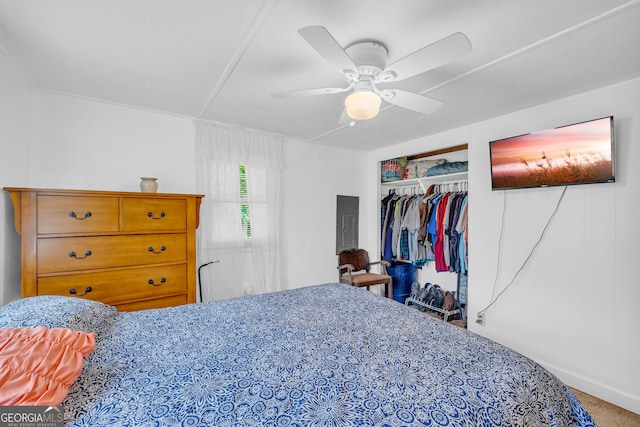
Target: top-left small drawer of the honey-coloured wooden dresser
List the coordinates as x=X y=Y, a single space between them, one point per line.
x=76 y=214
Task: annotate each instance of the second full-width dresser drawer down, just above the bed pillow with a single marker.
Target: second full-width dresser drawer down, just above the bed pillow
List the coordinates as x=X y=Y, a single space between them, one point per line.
x=118 y=285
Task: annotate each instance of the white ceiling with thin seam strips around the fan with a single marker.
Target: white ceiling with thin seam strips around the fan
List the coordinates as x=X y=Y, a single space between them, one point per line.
x=221 y=60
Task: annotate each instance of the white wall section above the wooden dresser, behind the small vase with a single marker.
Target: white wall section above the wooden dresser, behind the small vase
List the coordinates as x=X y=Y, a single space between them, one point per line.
x=91 y=145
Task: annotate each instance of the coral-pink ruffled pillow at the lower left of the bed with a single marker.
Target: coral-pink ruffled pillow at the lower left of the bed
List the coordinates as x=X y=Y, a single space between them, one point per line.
x=38 y=365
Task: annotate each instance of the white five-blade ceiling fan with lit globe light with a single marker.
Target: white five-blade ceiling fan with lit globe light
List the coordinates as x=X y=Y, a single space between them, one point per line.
x=364 y=65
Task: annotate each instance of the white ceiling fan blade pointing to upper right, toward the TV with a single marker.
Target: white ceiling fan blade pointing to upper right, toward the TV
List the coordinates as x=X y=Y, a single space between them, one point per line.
x=428 y=58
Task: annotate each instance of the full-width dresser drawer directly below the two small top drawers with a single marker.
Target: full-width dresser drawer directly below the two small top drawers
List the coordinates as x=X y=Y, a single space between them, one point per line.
x=87 y=253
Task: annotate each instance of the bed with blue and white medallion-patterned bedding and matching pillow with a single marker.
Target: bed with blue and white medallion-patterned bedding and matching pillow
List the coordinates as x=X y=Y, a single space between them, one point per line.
x=325 y=355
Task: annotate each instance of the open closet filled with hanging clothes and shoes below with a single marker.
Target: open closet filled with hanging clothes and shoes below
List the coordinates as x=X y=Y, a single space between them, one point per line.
x=423 y=223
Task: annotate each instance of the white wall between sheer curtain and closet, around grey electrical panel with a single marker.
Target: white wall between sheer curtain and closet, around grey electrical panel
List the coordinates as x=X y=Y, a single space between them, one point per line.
x=314 y=176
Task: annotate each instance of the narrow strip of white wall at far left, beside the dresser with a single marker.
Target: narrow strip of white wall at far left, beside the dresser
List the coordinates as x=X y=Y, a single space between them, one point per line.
x=15 y=141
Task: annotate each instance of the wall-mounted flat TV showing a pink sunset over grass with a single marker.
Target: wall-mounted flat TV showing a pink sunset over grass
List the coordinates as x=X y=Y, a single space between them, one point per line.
x=581 y=153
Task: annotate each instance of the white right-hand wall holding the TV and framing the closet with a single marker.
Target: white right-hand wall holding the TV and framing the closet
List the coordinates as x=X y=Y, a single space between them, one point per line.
x=574 y=306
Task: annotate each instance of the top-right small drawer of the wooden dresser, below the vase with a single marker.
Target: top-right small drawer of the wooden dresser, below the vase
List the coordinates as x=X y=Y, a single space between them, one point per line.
x=140 y=214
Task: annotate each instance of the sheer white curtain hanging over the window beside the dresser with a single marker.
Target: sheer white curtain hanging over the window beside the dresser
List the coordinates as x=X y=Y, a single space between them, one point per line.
x=238 y=171
